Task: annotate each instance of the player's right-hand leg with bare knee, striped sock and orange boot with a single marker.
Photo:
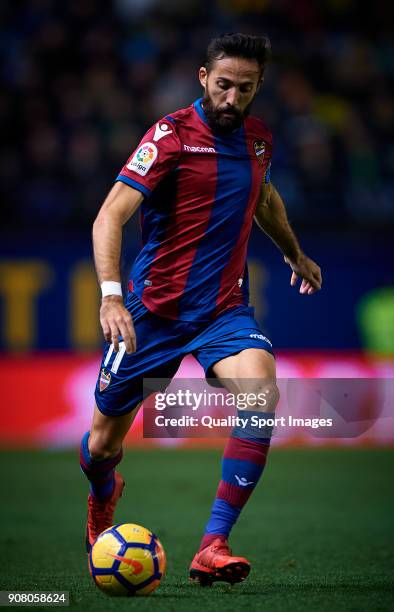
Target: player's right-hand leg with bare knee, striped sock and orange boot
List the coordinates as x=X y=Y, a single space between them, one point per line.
x=244 y=458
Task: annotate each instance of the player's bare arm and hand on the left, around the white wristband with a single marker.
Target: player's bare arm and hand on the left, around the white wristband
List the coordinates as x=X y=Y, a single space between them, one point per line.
x=121 y=202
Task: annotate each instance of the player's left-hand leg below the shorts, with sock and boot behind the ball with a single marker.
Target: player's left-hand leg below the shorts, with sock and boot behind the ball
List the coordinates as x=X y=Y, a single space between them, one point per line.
x=101 y=451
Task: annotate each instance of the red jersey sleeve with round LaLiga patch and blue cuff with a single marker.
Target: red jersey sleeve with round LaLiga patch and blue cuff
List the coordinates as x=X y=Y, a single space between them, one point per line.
x=156 y=155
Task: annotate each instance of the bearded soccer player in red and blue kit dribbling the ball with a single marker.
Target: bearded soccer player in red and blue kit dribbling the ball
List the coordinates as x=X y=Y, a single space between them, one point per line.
x=201 y=174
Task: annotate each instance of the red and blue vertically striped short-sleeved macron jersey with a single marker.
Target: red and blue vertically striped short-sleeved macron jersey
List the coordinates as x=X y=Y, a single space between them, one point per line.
x=201 y=191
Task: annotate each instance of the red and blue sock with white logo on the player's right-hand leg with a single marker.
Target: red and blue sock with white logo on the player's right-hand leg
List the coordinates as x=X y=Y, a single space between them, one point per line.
x=243 y=463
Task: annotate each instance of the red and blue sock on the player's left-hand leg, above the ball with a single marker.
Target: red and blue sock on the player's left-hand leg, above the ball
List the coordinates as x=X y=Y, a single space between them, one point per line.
x=99 y=472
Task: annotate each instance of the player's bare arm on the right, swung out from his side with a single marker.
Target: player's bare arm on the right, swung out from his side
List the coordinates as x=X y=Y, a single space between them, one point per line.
x=272 y=219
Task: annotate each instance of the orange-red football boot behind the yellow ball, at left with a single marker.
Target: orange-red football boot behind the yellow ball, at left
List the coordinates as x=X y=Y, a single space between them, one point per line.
x=101 y=512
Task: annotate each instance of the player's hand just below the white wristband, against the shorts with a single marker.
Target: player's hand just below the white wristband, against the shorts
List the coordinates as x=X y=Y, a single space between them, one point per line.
x=116 y=321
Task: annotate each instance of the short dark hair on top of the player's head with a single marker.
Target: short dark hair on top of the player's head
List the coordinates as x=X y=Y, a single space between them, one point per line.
x=239 y=45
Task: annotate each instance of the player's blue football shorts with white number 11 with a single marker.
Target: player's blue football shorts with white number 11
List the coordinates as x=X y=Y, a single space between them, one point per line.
x=162 y=344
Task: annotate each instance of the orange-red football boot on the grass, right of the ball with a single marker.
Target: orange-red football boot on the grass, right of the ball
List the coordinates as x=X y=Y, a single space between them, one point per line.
x=216 y=563
